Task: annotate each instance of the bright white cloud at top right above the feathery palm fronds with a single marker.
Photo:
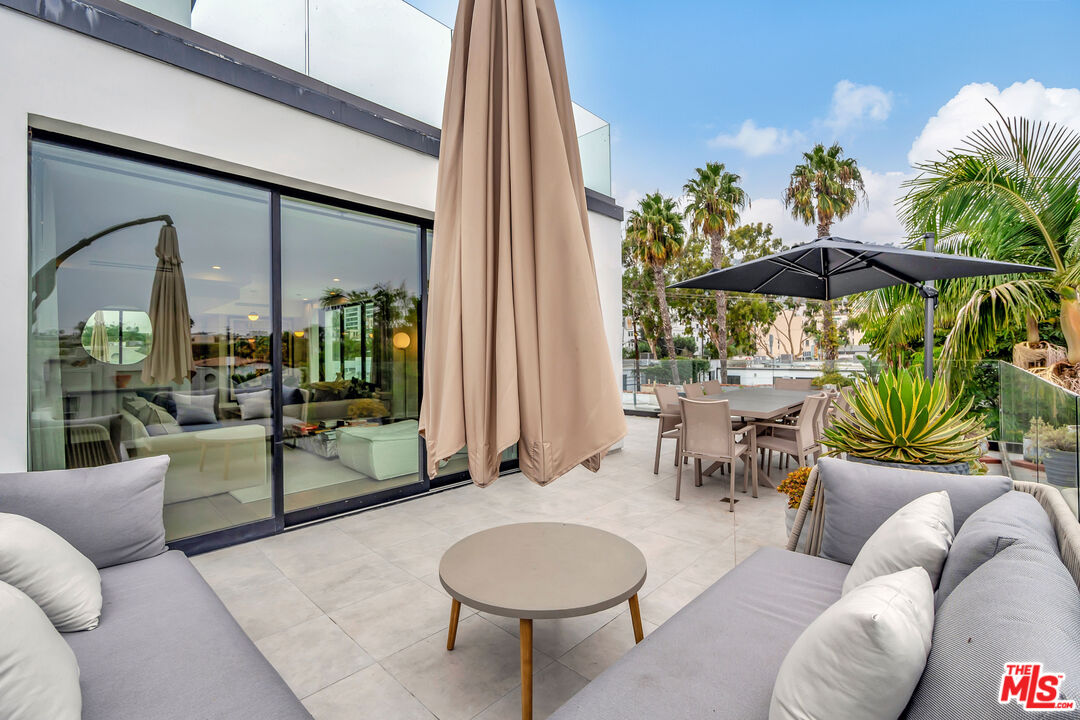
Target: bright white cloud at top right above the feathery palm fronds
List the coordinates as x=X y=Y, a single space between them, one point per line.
x=969 y=111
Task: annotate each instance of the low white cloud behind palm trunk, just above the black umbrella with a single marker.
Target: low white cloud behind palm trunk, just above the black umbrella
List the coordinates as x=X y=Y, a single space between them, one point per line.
x=873 y=222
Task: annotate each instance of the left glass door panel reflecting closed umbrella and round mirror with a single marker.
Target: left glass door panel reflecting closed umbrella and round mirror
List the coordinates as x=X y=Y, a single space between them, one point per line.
x=151 y=331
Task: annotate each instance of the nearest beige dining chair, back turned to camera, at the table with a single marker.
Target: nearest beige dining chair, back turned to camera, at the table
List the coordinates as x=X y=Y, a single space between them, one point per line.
x=707 y=434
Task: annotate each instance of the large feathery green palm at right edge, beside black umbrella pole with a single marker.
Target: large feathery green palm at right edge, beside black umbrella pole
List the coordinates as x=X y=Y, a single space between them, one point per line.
x=1011 y=192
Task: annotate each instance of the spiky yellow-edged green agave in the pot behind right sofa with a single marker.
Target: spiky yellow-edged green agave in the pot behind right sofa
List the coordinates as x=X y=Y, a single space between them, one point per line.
x=906 y=418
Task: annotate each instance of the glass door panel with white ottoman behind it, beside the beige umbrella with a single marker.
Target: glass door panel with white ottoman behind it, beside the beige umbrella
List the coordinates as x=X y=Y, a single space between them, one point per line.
x=350 y=324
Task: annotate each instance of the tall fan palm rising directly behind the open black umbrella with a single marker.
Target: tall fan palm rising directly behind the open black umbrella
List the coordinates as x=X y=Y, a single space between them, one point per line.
x=825 y=189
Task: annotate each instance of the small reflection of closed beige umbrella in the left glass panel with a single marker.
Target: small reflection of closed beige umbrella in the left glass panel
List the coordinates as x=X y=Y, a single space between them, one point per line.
x=170 y=360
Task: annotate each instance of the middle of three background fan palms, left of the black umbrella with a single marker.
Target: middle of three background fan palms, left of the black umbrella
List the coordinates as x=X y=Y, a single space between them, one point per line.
x=715 y=200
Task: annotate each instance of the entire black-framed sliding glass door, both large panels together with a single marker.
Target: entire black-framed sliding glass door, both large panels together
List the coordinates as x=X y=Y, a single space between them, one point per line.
x=271 y=345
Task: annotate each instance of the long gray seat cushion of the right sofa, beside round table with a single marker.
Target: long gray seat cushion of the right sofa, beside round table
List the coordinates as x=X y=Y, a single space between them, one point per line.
x=719 y=657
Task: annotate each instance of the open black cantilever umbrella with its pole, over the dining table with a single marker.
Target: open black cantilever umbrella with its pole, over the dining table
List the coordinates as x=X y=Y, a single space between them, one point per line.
x=831 y=268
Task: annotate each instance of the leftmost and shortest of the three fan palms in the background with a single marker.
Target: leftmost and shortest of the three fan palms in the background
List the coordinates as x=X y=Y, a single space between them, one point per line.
x=656 y=230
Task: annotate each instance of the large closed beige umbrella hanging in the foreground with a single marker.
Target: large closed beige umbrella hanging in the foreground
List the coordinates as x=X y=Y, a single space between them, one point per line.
x=516 y=346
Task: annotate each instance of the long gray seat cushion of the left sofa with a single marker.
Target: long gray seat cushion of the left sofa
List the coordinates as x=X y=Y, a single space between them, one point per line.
x=168 y=649
